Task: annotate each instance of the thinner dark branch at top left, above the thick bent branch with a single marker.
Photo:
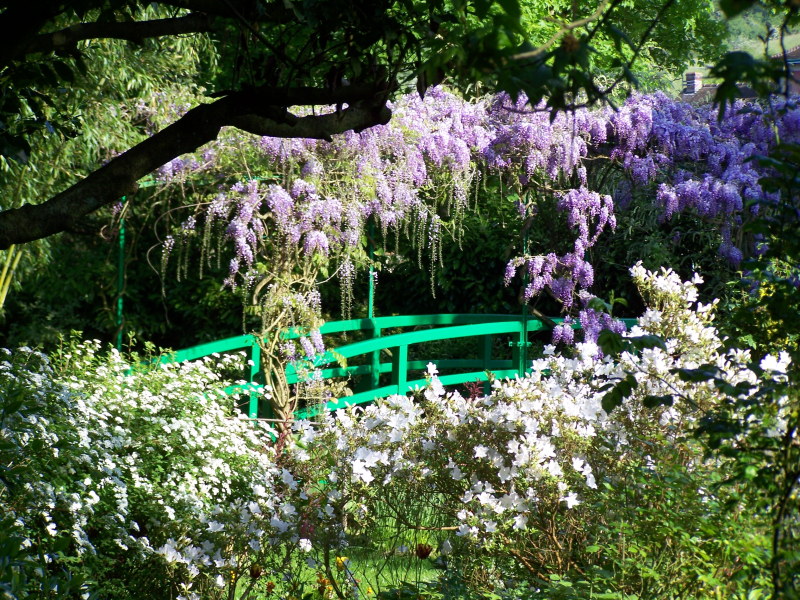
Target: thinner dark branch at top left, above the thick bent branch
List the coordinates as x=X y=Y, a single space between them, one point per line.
x=133 y=31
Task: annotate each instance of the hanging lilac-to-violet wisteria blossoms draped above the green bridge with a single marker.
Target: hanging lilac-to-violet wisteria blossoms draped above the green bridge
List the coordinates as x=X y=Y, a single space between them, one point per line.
x=317 y=197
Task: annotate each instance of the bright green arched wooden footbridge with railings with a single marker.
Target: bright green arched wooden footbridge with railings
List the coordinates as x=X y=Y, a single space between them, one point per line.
x=402 y=373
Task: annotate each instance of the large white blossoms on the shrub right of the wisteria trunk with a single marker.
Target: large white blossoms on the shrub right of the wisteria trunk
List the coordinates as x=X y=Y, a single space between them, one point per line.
x=538 y=444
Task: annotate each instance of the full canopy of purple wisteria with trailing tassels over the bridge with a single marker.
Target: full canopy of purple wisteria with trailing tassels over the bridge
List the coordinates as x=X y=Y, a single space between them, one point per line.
x=416 y=178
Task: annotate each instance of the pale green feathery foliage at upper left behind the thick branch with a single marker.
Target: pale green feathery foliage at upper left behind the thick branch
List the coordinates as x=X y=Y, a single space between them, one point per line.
x=71 y=124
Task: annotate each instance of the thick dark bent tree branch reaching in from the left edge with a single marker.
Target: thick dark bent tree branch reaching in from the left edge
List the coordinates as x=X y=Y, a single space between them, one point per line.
x=260 y=111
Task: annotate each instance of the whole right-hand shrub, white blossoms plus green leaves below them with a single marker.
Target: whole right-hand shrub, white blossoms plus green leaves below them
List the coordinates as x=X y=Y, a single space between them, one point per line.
x=540 y=477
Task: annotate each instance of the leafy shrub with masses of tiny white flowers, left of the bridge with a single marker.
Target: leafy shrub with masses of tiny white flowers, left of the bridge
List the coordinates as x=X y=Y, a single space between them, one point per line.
x=141 y=479
